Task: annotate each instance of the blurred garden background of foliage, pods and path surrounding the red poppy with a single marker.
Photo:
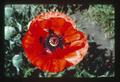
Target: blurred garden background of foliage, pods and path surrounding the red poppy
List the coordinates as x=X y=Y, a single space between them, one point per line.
x=97 y=21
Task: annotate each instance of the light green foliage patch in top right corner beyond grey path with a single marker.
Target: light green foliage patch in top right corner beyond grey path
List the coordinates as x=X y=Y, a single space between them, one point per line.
x=104 y=15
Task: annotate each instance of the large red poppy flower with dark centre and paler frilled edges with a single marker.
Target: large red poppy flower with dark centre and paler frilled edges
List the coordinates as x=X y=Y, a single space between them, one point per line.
x=52 y=42
